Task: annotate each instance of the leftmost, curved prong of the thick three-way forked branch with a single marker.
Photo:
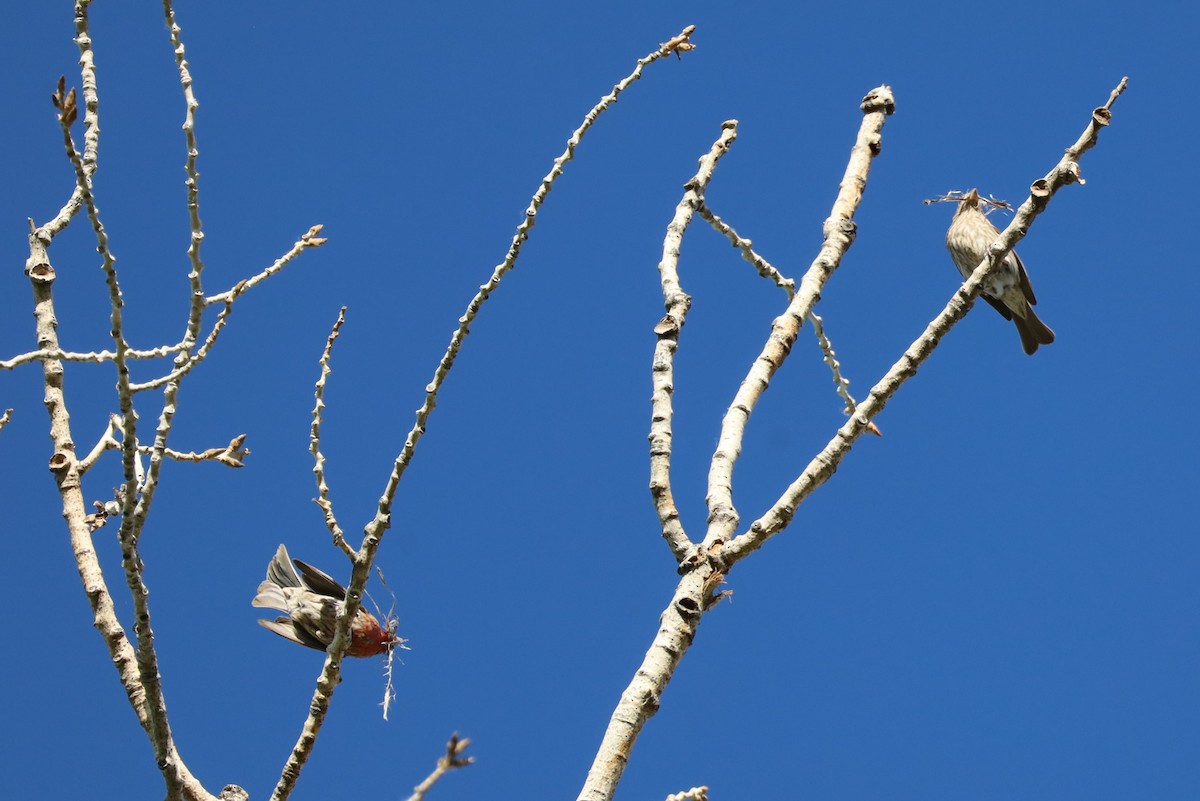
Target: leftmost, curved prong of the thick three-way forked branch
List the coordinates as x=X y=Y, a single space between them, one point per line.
x=677 y=304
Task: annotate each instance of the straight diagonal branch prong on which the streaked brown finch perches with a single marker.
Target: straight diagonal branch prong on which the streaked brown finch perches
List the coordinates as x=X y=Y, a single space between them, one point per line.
x=824 y=466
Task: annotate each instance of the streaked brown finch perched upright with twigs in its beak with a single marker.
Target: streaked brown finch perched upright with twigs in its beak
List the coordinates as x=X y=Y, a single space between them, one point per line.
x=1009 y=287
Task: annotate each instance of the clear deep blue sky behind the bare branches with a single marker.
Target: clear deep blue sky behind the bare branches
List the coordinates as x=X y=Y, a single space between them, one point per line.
x=998 y=600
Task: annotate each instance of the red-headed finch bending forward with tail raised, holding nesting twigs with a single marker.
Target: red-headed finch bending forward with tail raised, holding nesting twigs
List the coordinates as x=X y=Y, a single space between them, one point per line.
x=313 y=600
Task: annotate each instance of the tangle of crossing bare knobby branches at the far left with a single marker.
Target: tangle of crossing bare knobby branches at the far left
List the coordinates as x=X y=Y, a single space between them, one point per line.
x=137 y=668
